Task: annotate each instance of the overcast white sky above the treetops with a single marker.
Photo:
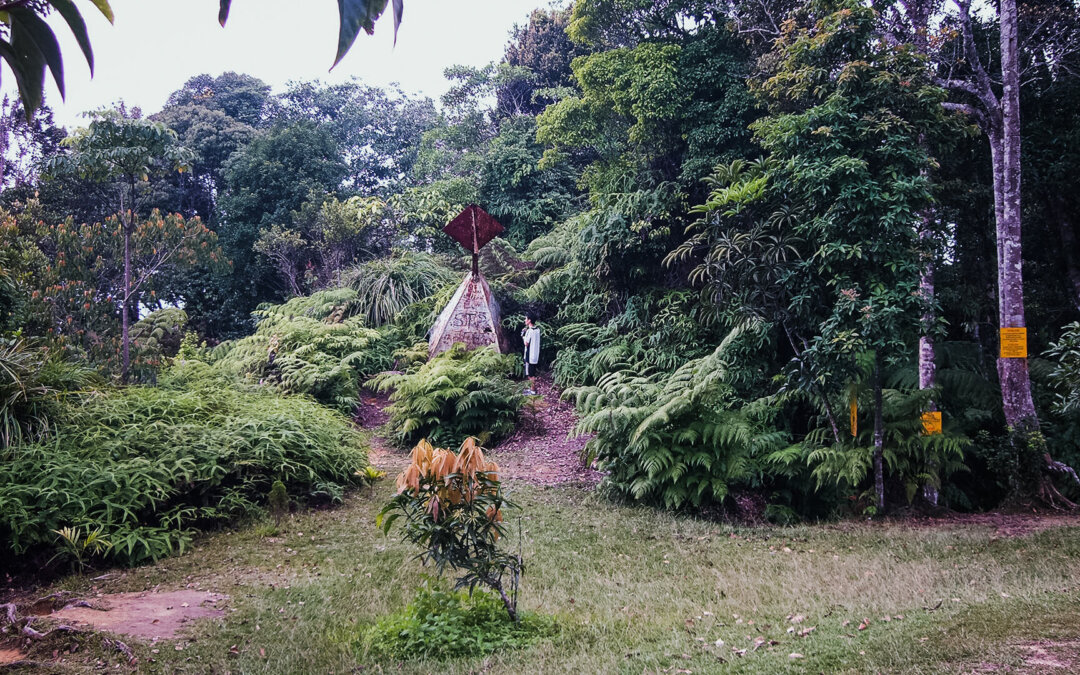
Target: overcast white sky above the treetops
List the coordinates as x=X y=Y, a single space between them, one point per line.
x=157 y=45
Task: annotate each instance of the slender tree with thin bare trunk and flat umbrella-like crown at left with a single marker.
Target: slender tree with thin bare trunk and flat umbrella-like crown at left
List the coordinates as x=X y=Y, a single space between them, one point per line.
x=115 y=148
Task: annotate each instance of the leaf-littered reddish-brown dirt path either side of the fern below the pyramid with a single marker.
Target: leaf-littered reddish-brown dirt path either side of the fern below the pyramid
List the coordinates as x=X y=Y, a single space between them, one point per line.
x=542 y=452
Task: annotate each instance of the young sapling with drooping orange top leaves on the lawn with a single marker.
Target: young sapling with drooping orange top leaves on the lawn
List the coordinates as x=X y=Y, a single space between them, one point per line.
x=453 y=506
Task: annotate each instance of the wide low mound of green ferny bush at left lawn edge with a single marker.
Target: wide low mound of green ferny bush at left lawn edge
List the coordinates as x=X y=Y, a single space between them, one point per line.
x=146 y=466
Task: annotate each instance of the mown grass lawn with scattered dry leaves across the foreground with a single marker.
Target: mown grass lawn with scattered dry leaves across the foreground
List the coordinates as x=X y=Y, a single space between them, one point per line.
x=634 y=590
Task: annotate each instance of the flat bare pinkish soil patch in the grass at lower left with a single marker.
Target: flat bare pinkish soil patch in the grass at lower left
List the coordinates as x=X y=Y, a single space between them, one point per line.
x=146 y=615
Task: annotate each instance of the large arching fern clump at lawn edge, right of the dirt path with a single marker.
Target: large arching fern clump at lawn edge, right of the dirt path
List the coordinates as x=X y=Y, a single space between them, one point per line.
x=679 y=439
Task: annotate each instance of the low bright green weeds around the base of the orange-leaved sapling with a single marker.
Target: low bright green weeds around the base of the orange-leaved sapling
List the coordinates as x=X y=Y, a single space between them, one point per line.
x=440 y=625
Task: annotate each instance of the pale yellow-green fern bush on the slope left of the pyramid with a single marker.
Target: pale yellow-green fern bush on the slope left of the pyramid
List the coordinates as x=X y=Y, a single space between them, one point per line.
x=314 y=346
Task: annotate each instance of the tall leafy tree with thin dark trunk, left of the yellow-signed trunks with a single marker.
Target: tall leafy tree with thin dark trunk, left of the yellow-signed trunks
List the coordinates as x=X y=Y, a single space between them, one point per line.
x=829 y=220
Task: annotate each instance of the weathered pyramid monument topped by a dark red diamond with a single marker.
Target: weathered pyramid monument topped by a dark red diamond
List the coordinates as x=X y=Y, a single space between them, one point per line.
x=472 y=315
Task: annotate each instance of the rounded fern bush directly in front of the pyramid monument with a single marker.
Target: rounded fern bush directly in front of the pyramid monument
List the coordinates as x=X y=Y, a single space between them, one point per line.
x=456 y=395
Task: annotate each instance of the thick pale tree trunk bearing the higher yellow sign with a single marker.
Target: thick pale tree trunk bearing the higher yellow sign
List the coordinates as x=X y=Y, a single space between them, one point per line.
x=1014 y=374
